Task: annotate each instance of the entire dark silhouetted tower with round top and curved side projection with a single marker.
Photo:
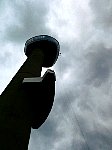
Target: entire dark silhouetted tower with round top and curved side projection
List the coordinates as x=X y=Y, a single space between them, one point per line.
x=27 y=100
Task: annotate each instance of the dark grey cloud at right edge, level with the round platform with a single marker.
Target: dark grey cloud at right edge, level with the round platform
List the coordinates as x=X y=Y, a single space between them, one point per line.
x=99 y=64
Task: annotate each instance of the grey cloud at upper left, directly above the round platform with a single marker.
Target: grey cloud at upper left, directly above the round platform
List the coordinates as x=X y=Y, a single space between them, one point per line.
x=28 y=19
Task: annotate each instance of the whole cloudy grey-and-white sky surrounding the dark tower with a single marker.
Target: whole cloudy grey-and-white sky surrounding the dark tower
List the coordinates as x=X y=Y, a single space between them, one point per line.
x=81 y=118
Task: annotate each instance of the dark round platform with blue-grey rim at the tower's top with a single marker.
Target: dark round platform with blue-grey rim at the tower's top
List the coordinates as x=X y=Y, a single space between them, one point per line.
x=48 y=44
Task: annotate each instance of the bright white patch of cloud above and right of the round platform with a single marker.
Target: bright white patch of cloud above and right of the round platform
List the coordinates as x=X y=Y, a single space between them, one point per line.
x=67 y=18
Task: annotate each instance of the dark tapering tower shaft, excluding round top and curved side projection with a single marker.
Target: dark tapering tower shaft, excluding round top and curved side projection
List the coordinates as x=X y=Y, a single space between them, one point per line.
x=15 y=115
